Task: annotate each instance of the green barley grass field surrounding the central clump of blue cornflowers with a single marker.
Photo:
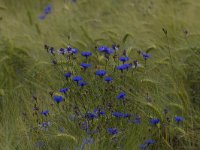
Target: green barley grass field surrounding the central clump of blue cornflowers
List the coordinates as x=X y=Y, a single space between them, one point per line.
x=25 y=68
